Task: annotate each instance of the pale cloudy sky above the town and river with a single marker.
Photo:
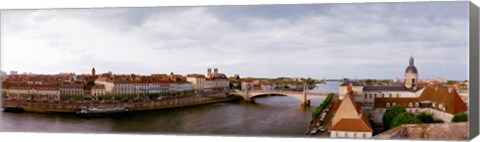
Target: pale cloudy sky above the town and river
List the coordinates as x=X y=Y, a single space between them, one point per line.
x=368 y=40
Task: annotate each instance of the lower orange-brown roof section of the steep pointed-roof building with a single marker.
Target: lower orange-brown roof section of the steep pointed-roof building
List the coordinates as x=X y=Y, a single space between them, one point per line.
x=358 y=125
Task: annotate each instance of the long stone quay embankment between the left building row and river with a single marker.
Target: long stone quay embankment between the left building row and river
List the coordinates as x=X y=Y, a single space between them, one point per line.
x=72 y=107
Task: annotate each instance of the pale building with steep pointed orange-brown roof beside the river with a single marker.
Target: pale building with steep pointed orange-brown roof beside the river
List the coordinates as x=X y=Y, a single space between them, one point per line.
x=349 y=120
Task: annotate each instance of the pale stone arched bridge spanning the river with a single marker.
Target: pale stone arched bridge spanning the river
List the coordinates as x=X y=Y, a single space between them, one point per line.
x=304 y=97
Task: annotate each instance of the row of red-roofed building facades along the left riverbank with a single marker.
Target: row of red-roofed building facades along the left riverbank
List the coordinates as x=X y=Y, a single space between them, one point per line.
x=108 y=83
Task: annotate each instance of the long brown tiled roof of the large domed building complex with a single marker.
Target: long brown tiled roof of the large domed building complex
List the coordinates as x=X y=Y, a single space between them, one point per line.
x=439 y=95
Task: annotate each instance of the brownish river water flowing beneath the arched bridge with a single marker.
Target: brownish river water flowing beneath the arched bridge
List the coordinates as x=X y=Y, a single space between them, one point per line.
x=268 y=116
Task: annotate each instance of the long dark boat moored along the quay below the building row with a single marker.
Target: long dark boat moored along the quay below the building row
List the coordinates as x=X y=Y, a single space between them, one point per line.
x=102 y=112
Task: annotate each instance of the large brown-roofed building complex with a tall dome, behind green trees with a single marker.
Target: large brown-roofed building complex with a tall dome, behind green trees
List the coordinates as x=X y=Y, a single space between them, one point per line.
x=443 y=102
